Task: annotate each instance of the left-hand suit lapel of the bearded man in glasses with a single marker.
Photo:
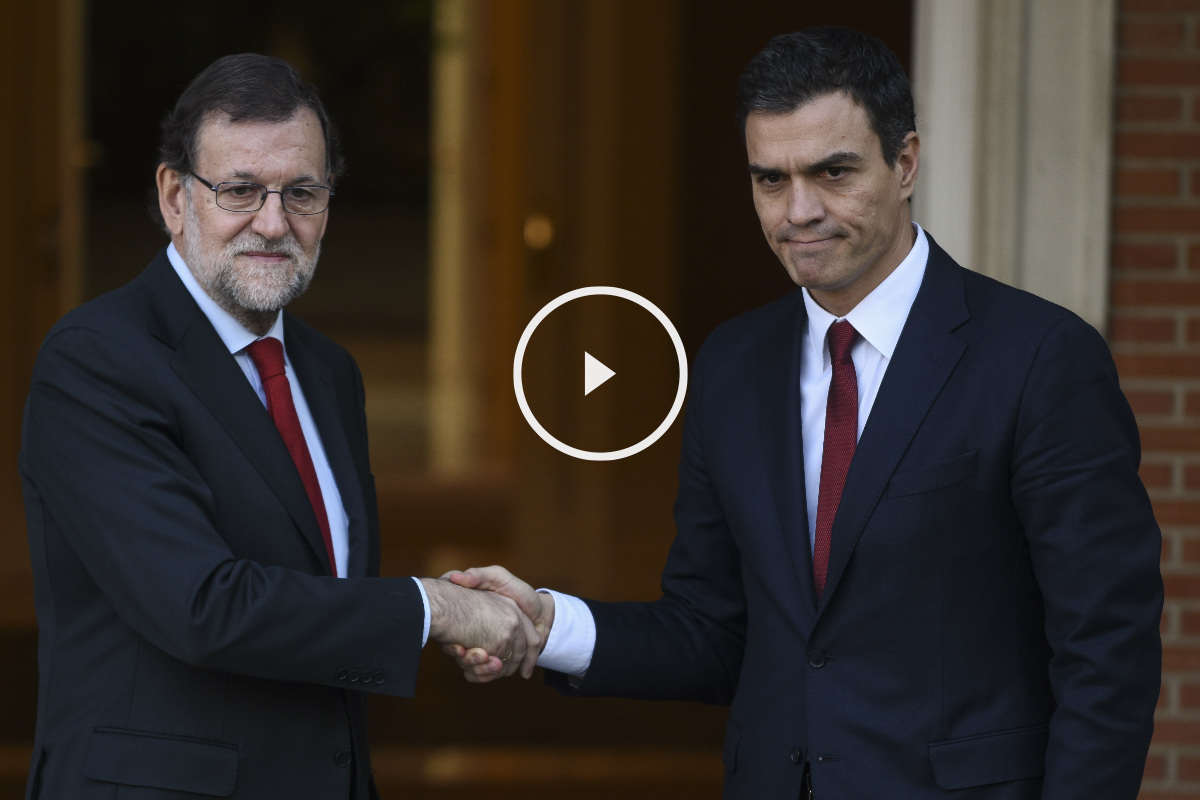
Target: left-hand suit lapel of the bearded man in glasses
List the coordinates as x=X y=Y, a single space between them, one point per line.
x=203 y=363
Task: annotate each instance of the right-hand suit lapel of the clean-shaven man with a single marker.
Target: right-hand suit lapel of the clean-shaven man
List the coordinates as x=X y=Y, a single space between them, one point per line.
x=926 y=356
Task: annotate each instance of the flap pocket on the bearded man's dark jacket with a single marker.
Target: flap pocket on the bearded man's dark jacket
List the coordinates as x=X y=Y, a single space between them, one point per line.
x=161 y=761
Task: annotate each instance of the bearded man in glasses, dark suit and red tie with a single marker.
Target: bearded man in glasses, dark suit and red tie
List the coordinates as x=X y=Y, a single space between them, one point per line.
x=201 y=510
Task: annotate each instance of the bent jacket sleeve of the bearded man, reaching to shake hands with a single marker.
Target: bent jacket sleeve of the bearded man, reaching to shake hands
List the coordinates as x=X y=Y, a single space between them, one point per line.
x=107 y=471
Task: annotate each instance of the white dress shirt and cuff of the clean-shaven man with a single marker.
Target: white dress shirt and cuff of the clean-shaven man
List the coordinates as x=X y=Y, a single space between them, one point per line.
x=879 y=318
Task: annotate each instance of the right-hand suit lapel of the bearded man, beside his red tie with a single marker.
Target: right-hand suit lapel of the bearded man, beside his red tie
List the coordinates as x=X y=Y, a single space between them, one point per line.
x=322 y=398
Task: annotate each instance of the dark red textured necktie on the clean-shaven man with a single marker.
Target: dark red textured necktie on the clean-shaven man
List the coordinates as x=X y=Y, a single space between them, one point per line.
x=842 y=436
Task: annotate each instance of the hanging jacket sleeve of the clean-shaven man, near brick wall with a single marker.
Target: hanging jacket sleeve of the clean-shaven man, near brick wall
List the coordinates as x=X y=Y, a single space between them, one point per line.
x=1095 y=549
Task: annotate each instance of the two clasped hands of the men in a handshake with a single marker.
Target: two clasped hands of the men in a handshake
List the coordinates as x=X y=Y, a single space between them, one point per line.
x=490 y=622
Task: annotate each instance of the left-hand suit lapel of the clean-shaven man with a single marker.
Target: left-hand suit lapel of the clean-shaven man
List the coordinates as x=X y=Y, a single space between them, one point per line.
x=781 y=435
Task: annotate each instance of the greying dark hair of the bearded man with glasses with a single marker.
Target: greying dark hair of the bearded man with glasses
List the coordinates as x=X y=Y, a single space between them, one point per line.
x=248 y=88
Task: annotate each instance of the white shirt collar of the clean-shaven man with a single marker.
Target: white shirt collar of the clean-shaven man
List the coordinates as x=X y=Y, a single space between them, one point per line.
x=880 y=317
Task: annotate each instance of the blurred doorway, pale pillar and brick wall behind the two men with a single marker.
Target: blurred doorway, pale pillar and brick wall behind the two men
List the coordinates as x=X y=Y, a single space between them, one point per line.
x=505 y=152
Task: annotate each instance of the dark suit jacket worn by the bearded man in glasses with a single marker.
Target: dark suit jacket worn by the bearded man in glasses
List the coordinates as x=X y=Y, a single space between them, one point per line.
x=191 y=639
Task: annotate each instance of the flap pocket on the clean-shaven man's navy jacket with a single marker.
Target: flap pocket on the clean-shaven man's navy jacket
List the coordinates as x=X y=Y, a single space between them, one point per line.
x=991 y=757
